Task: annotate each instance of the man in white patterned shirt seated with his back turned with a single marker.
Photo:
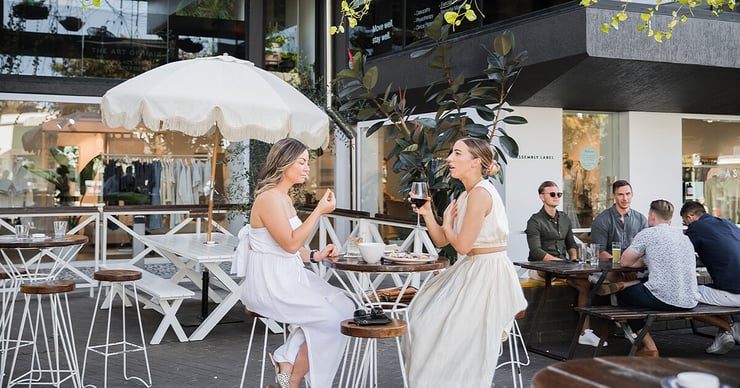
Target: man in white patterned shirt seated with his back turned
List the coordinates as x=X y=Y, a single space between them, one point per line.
x=669 y=257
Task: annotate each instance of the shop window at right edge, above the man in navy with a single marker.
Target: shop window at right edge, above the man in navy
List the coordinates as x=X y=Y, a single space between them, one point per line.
x=711 y=160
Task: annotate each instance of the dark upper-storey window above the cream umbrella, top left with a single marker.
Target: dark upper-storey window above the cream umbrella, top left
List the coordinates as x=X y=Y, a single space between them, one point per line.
x=117 y=39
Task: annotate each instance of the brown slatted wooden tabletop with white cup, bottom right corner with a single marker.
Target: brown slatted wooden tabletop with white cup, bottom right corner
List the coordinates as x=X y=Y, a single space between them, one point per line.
x=629 y=372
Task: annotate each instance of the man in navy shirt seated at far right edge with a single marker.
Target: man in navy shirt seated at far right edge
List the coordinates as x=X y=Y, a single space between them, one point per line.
x=717 y=242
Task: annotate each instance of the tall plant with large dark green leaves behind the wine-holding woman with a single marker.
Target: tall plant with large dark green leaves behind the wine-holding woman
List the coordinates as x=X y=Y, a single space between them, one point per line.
x=421 y=143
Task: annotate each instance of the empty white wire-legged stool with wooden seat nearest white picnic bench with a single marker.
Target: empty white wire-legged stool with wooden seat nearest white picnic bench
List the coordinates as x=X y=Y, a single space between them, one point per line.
x=116 y=280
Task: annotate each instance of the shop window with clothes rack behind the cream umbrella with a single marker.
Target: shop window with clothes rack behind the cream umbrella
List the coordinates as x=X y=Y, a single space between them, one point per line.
x=45 y=147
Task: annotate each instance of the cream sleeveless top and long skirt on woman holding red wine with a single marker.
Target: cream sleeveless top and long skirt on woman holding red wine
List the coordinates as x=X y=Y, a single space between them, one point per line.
x=456 y=322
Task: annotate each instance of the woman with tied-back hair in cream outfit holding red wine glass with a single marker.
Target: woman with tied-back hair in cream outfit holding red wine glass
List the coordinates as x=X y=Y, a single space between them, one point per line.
x=457 y=321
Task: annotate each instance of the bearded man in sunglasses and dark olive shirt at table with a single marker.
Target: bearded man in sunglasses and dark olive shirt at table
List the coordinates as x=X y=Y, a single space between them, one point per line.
x=550 y=238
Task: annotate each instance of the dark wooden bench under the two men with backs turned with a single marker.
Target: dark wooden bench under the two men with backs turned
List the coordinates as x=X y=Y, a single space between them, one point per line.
x=621 y=314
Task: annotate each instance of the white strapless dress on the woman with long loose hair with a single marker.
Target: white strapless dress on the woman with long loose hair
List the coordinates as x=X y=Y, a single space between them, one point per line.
x=278 y=286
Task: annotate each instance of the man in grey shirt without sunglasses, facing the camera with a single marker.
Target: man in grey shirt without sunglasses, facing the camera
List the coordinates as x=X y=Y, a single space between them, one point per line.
x=619 y=223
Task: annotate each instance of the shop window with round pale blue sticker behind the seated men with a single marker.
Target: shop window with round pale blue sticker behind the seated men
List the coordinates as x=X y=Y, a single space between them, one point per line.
x=590 y=164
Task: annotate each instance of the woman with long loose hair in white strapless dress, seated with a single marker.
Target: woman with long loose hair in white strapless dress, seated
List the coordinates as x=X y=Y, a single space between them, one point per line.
x=271 y=257
